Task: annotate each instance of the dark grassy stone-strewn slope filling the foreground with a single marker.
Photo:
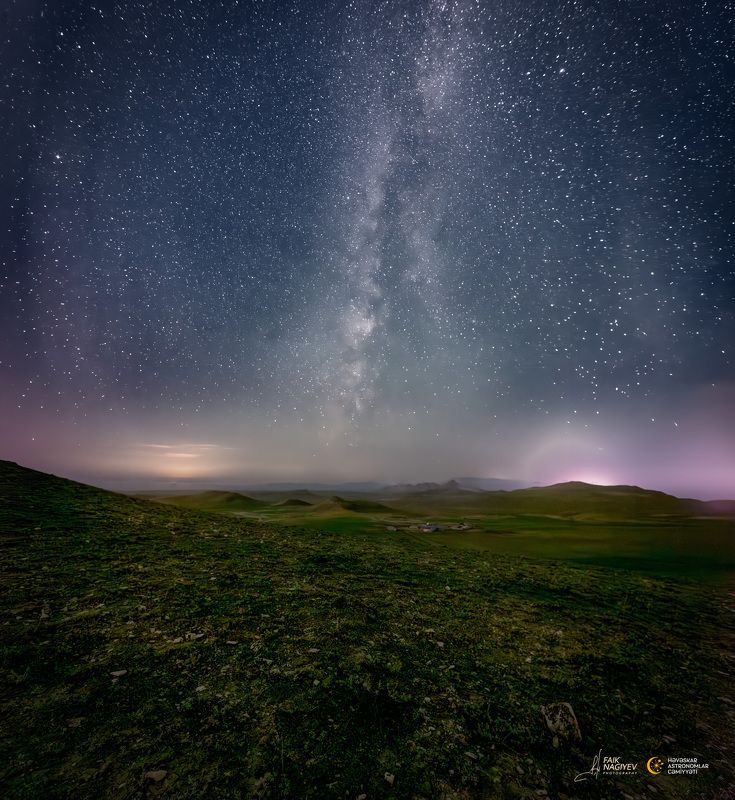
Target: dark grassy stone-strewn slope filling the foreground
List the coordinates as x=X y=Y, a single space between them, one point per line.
x=149 y=651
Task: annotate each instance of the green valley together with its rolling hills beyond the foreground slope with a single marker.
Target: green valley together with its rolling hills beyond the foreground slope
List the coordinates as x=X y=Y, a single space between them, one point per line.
x=618 y=527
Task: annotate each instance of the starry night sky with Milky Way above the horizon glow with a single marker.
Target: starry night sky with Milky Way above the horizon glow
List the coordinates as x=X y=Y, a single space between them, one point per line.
x=397 y=241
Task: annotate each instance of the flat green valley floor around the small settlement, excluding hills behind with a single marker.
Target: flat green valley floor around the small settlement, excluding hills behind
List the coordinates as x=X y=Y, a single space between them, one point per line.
x=678 y=547
